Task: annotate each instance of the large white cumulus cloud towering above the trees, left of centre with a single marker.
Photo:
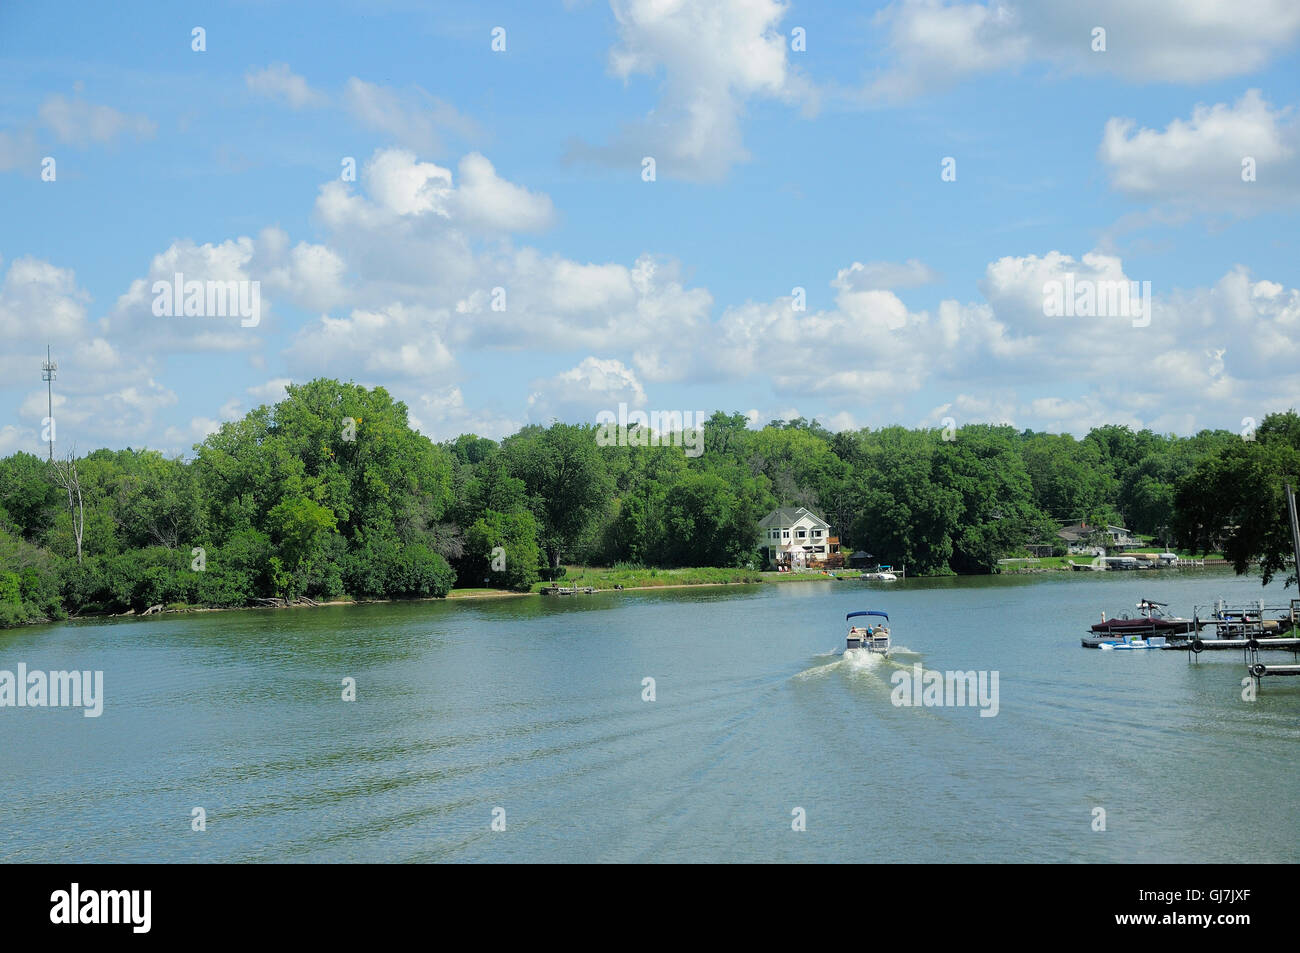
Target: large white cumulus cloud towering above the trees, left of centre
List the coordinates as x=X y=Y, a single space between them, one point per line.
x=414 y=235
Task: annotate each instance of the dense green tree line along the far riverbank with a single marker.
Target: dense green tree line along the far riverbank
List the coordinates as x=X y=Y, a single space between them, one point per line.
x=330 y=493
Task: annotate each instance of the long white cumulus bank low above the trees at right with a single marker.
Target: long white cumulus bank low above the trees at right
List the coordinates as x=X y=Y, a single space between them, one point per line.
x=1007 y=359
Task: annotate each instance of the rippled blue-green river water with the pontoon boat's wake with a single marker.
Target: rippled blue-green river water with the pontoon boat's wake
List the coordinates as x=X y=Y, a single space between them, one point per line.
x=532 y=716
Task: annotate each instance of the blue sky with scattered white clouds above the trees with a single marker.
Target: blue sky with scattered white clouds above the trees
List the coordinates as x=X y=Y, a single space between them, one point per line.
x=775 y=168
